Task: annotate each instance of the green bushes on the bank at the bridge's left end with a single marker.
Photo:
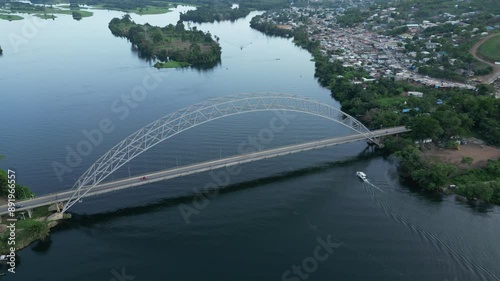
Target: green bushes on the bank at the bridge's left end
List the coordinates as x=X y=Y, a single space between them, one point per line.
x=28 y=229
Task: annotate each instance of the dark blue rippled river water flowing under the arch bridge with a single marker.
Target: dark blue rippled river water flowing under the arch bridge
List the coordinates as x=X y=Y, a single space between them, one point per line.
x=62 y=78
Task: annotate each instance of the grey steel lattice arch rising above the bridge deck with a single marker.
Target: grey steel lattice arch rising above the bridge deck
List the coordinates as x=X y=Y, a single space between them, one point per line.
x=198 y=114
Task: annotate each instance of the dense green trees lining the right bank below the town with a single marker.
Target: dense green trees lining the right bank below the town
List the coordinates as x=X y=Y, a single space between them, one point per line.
x=441 y=118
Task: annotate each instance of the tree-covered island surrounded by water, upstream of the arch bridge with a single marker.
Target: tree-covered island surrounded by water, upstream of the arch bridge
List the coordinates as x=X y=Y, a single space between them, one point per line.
x=174 y=46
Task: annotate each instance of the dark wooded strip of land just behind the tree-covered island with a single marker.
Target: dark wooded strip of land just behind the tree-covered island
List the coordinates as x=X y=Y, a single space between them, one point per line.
x=217 y=12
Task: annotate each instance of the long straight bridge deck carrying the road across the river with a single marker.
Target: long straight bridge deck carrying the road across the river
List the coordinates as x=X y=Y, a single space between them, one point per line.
x=198 y=168
